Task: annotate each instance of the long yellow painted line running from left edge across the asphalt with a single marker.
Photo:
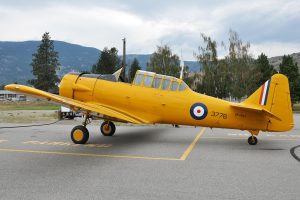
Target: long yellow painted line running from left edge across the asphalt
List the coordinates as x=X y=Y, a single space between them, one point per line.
x=88 y=155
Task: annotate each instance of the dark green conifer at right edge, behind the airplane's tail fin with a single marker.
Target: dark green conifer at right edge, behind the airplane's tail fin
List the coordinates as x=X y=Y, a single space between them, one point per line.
x=290 y=69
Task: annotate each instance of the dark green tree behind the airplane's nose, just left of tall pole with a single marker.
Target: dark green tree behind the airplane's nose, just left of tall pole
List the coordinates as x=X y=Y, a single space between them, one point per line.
x=108 y=62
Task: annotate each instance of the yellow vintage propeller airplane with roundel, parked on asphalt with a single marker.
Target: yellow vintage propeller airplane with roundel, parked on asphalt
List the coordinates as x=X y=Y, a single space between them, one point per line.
x=158 y=99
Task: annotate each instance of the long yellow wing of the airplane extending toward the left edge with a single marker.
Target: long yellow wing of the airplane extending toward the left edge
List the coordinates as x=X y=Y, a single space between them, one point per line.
x=77 y=105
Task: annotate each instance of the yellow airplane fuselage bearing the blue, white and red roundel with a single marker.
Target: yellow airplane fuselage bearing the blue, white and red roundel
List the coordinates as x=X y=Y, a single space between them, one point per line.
x=160 y=106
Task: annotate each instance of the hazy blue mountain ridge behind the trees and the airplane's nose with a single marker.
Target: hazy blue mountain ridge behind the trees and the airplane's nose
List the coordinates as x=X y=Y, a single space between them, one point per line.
x=15 y=59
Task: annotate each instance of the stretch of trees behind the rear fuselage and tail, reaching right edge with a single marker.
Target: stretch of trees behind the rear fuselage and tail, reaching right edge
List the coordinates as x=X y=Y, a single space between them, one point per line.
x=238 y=74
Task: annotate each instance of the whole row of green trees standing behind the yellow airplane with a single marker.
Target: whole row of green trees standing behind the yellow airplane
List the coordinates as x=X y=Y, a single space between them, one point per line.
x=236 y=75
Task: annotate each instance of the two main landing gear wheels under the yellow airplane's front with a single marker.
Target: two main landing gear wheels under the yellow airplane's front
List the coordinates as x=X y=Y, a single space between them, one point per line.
x=80 y=133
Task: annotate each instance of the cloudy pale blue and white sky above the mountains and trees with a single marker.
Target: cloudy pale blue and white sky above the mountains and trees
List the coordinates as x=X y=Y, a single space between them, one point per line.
x=271 y=26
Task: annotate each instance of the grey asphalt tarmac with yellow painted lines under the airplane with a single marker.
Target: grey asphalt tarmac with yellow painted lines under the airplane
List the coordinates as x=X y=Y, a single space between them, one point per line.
x=148 y=162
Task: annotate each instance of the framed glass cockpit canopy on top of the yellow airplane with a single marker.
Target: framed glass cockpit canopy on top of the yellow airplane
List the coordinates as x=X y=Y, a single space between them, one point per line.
x=163 y=82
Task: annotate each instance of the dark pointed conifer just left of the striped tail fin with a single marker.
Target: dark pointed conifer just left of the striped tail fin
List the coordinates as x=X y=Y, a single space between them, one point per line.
x=265 y=69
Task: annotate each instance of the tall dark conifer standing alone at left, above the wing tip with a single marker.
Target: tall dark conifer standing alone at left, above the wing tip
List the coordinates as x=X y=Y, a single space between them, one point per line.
x=44 y=65
